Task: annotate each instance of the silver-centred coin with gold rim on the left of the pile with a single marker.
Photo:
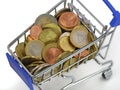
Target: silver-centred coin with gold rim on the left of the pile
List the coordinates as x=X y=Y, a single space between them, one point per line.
x=34 y=48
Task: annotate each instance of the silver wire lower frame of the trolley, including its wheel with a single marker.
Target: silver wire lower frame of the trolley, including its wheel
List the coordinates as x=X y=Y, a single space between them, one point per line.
x=106 y=74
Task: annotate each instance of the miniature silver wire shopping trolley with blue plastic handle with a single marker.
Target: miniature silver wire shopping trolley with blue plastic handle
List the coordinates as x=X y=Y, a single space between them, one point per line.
x=100 y=32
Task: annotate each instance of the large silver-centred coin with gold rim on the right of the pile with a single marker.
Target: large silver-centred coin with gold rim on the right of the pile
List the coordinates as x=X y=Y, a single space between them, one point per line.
x=79 y=36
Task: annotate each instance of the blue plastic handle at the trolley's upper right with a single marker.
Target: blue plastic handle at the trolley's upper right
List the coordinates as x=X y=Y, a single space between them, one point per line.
x=116 y=15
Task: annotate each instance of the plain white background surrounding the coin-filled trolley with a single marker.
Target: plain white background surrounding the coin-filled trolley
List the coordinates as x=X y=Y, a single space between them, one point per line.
x=17 y=15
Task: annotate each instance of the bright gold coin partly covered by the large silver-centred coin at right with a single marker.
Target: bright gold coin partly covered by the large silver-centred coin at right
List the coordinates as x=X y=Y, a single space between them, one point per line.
x=65 y=44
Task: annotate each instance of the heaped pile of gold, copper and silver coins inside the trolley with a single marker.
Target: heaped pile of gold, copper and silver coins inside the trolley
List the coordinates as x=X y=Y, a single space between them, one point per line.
x=51 y=39
